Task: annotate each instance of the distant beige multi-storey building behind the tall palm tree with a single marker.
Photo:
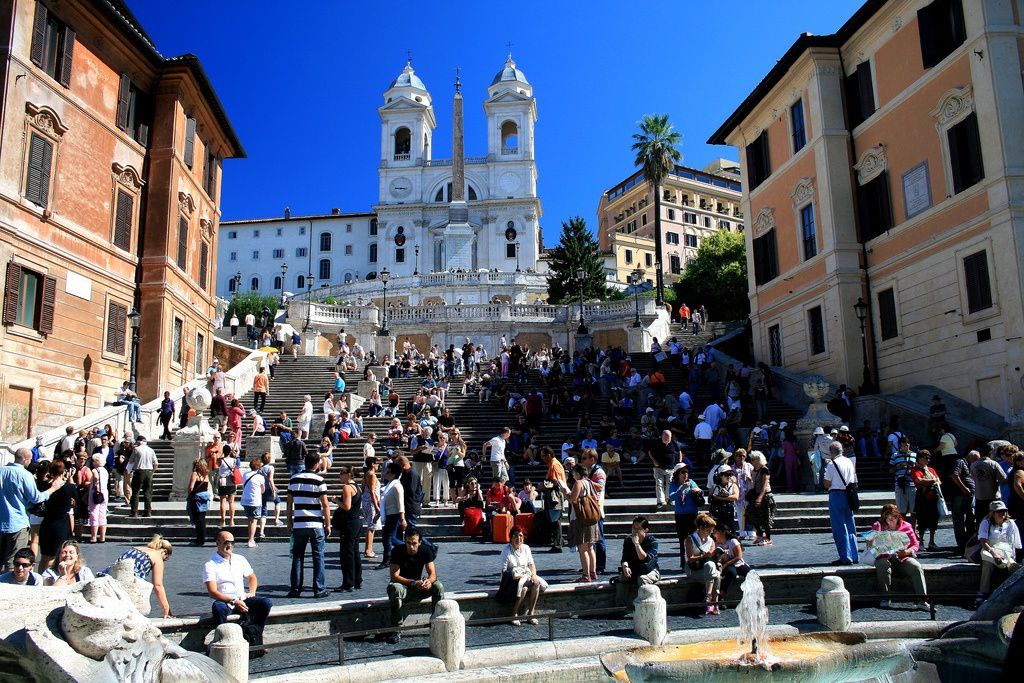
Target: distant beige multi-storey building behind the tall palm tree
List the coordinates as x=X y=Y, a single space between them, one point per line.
x=695 y=204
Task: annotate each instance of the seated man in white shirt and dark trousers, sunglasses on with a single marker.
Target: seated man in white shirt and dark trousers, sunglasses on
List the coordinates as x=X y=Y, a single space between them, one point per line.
x=227 y=576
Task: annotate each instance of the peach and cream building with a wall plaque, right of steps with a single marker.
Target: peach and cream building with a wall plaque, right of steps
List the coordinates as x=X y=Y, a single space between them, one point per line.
x=882 y=163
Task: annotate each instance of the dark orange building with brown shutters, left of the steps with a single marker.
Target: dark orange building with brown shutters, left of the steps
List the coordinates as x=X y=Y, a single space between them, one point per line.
x=97 y=130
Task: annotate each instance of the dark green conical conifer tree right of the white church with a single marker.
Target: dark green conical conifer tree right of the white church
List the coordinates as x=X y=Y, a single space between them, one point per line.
x=577 y=248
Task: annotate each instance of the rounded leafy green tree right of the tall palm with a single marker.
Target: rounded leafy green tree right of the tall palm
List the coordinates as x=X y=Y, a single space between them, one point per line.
x=717 y=278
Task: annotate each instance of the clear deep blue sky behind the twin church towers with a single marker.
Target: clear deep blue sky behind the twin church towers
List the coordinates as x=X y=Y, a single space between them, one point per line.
x=303 y=87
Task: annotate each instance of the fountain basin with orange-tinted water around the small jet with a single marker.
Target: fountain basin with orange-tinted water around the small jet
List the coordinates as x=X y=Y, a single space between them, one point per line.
x=825 y=658
